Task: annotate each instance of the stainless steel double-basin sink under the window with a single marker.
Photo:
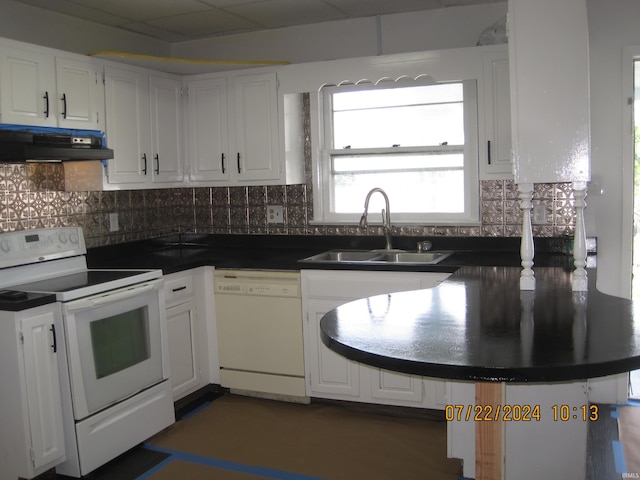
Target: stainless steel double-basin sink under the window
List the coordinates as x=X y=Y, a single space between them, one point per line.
x=379 y=257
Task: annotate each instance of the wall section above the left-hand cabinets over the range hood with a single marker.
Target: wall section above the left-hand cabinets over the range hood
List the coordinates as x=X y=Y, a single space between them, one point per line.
x=34 y=25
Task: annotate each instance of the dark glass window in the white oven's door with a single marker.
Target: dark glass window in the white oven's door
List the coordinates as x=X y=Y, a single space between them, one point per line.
x=120 y=341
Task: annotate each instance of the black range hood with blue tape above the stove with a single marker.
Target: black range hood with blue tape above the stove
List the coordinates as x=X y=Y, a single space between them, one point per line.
x=52 y=145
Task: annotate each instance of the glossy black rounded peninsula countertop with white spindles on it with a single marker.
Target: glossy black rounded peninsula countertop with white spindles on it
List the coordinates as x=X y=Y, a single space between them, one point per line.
x=478 y=325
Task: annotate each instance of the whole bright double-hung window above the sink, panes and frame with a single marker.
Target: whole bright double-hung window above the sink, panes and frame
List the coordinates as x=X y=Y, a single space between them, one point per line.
x=417 y=141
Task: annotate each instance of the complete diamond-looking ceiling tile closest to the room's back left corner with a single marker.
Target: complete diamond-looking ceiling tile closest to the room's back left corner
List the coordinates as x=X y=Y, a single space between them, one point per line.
x=207 y=23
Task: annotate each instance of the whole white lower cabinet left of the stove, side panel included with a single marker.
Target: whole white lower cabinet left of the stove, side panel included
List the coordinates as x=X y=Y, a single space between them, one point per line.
x=30 y=347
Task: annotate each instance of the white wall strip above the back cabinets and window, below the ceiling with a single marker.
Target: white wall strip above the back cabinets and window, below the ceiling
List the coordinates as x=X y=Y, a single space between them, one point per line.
x=411 y=32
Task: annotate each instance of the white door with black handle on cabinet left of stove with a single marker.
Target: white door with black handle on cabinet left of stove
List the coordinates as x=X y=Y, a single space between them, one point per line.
x=43 y=389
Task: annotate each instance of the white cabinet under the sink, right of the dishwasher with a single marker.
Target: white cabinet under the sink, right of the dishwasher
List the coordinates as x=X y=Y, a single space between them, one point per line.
x=330 y=375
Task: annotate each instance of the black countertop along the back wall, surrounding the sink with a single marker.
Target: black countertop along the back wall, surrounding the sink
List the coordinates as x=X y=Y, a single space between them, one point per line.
x=178 y=252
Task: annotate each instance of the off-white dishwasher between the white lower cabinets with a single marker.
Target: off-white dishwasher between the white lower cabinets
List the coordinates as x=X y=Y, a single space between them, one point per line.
x=259 y=322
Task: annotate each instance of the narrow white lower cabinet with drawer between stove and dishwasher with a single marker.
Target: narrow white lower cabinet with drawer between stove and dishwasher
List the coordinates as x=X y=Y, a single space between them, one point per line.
x=189 y=353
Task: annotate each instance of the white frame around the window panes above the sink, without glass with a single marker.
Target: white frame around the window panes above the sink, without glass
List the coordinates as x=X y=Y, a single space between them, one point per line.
x=322 y=163
